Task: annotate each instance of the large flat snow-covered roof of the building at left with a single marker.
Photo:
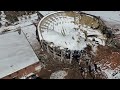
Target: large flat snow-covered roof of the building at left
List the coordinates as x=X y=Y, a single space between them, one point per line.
x=15 y=53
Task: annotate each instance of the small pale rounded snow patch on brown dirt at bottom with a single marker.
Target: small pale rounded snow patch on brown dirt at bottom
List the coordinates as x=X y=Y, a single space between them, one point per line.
x=58 y=75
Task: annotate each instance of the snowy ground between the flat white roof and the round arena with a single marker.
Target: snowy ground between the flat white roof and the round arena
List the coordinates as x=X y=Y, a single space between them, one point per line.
x=25 y=23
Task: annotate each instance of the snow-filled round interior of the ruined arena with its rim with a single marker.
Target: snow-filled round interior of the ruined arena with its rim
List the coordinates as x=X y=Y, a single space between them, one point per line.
x=70 y=30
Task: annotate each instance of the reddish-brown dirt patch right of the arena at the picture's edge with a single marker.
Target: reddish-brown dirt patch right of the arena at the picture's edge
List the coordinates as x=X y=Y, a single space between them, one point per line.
x=108 y=56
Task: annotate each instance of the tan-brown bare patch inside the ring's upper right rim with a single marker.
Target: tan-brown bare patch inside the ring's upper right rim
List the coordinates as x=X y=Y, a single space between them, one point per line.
x=89 y=20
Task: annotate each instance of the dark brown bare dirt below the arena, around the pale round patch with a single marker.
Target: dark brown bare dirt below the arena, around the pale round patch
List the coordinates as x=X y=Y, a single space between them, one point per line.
x=53 y=65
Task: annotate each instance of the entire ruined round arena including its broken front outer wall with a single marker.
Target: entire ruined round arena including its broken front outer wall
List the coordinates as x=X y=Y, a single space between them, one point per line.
x=67 y=34
